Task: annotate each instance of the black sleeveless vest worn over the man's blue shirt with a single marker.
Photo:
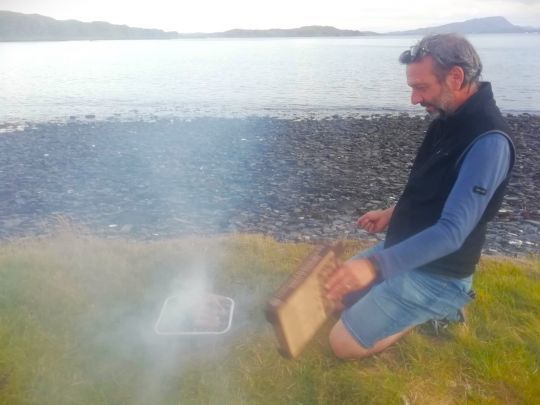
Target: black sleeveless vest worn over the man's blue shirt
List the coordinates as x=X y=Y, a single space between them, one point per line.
x=434 y=173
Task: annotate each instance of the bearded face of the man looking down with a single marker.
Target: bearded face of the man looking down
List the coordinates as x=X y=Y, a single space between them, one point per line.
x=427 y=91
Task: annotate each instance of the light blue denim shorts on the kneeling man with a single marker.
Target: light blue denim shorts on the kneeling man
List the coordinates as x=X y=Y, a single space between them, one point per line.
x=408 y=299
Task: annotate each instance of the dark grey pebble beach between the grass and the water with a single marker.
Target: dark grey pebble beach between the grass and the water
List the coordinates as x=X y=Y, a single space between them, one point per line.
x=293 y=179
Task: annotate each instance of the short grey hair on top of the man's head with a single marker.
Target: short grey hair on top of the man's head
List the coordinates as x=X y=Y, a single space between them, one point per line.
x=447 y=51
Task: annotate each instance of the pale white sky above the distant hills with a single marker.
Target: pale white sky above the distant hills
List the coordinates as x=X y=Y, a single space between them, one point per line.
x=221 y=15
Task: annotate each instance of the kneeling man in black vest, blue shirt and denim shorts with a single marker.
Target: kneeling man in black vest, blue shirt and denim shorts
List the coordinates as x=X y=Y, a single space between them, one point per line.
x=436 y=231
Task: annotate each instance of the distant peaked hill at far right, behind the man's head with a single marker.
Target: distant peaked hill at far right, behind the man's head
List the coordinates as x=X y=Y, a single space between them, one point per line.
x=486 y=25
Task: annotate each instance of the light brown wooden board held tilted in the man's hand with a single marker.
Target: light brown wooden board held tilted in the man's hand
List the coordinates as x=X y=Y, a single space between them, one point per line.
x=300 y=307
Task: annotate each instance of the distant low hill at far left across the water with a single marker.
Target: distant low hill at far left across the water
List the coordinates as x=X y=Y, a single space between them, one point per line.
x=35 y=27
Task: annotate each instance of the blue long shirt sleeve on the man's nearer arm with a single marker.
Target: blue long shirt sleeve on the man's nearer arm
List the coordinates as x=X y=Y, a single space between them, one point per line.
x=484 y=168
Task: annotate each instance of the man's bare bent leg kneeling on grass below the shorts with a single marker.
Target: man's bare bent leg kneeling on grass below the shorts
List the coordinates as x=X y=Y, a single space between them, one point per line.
x=345 y=346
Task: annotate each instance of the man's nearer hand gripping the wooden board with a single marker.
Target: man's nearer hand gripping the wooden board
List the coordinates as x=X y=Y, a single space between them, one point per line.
x=353 y=275
